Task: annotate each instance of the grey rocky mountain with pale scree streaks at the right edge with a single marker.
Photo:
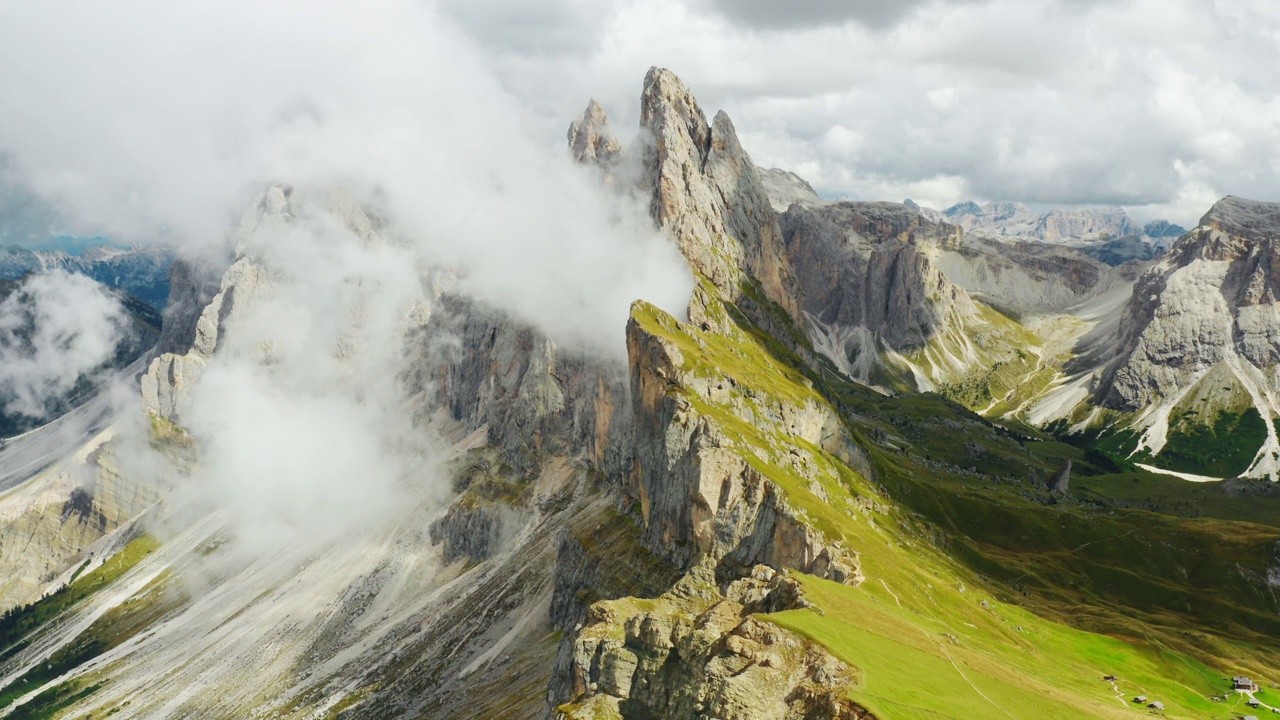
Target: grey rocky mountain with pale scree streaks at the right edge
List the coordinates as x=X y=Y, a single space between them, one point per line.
x=1210 y=308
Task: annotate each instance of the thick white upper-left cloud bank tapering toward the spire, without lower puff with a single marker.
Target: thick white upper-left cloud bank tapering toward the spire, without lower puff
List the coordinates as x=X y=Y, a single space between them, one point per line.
x=152 y=120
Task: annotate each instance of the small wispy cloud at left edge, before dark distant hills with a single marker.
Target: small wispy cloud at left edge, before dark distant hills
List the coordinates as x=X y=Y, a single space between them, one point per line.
x=57 y=330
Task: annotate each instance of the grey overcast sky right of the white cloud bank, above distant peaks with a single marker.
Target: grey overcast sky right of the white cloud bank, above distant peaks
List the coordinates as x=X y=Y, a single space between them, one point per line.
x=1156 y=106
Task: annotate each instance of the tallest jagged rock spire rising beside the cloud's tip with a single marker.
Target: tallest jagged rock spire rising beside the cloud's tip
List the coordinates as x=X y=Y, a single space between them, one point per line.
x=708 y=195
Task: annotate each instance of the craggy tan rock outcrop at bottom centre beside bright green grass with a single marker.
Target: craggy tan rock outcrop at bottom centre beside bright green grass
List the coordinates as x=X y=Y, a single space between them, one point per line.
x=697 y=653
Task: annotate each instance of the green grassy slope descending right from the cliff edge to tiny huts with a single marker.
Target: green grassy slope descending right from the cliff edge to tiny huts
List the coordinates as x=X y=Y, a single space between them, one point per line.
x=986 y=595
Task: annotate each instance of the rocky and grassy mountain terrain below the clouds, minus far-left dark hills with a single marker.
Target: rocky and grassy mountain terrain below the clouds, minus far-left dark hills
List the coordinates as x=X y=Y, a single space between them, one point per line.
x=892 y=463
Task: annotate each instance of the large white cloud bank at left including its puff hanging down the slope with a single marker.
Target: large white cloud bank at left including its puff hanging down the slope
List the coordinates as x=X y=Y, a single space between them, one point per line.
x=148 y=120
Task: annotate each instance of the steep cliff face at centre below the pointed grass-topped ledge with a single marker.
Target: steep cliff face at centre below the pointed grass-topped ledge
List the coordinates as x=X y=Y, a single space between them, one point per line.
x=698 y=493
